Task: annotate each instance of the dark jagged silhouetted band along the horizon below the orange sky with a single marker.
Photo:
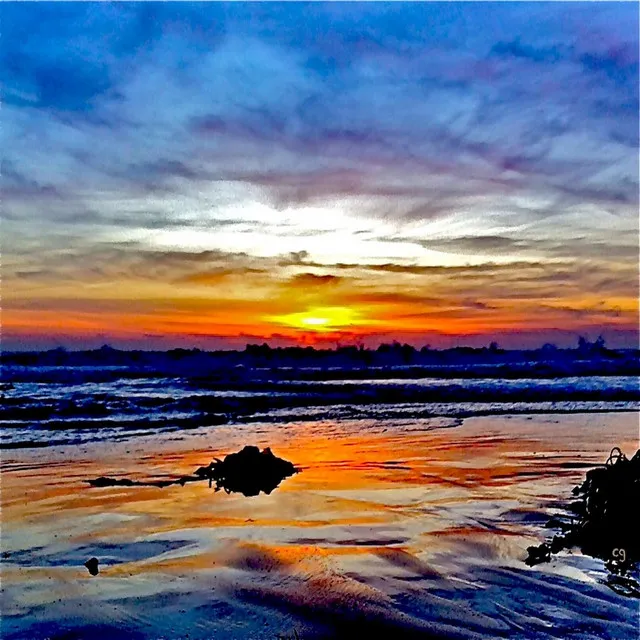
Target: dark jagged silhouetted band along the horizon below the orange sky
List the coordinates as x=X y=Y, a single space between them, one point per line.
x=259 y=361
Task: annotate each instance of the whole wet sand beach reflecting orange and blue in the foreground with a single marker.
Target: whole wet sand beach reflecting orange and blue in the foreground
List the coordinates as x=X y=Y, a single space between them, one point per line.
x=400 y=528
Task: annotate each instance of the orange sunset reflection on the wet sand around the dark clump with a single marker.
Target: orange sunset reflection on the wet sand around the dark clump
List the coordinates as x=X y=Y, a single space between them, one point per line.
x=361 y=490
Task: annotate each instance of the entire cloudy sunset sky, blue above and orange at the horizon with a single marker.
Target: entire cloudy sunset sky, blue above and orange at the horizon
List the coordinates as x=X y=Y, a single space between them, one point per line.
x=215 y=174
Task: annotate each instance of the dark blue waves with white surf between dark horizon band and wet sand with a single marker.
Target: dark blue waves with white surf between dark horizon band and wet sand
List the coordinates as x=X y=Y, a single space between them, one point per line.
x=43 y=406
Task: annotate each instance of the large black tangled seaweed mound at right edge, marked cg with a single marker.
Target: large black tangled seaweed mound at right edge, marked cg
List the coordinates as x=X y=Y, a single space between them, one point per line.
x=606 y=519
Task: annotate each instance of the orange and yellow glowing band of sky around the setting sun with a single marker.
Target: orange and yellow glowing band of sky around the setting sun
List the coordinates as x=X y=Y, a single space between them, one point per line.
x=308 y=308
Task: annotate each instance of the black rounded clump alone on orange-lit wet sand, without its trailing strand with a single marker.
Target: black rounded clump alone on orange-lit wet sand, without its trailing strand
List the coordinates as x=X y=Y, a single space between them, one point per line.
x=249 y=471
